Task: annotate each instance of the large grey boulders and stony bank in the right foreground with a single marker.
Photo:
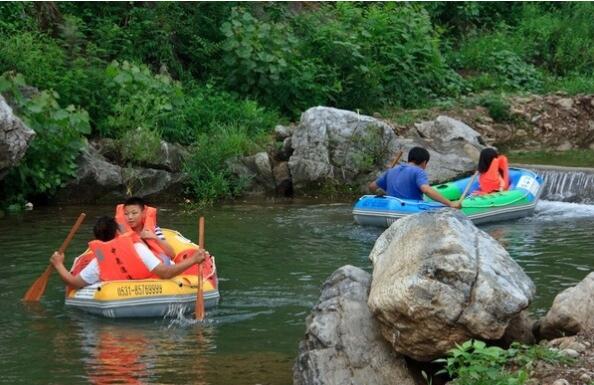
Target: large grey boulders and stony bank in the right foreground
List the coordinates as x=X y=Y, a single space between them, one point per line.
x=437 y=281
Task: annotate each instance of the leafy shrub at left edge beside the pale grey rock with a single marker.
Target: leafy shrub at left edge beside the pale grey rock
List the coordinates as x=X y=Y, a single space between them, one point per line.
x=50 y=159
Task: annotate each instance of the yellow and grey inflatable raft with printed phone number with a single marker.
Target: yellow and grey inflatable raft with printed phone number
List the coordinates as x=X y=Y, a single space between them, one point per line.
x=149 y=297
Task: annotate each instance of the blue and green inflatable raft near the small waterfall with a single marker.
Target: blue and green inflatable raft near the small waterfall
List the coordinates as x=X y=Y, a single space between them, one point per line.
x=516 y=202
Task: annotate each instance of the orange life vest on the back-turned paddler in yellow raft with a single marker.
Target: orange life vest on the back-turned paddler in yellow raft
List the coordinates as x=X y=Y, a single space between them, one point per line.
x=118 y=259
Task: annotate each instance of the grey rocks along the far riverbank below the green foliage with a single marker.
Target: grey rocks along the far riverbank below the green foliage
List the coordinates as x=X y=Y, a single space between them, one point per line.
x=330 y=150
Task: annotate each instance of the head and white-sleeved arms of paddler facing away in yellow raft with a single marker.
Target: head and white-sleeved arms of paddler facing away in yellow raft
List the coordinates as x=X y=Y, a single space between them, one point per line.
x=105 y=230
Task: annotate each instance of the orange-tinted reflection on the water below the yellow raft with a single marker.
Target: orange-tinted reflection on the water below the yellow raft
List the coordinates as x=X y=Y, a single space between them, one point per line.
x=123 y=352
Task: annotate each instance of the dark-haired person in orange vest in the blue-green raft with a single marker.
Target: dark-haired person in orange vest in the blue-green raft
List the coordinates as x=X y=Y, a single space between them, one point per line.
x=493 y=172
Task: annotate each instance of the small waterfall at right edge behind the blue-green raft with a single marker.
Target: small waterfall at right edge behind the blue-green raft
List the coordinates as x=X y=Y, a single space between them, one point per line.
x=567 y=184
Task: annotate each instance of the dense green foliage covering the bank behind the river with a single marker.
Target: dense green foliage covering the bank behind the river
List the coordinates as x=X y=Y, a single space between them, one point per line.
x=219 y=76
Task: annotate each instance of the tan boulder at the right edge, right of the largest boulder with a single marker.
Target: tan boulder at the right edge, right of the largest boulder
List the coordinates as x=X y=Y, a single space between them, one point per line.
x=572 y=311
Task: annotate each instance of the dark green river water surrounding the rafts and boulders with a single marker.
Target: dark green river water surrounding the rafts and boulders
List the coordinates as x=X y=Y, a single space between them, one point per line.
x=272 y=259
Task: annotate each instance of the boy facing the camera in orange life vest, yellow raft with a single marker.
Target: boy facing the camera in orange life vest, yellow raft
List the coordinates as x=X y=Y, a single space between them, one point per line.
x=136 y=215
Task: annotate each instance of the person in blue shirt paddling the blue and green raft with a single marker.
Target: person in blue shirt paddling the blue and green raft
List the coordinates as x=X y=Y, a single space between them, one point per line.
x=410 y=181
